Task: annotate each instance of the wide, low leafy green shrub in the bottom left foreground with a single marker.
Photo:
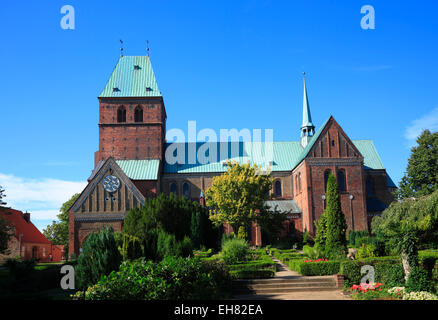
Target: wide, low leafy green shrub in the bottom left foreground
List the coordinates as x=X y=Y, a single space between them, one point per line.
x=171 y=279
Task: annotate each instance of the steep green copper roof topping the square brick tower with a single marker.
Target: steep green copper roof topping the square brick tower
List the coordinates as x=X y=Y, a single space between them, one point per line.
x=132 y=77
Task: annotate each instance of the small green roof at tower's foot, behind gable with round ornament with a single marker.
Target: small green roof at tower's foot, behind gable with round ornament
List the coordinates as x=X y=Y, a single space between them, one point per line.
x=140 y=169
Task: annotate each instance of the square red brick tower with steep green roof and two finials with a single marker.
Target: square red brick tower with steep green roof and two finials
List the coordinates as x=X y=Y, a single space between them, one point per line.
x=132 y=116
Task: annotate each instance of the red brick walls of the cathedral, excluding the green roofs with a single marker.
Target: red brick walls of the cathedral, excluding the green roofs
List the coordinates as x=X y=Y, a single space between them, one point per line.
x=135 y=127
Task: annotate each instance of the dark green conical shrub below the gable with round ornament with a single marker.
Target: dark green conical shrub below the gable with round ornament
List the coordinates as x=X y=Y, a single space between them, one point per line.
x=99 y=257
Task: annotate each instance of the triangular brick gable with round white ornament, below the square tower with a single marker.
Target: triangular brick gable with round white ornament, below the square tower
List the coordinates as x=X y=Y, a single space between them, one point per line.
x=109 y=191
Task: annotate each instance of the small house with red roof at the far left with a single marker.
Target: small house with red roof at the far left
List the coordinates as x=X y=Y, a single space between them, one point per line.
x=26 y=241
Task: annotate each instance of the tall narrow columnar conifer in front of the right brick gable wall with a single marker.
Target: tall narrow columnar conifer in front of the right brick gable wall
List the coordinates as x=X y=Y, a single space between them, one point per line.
x=336 y=243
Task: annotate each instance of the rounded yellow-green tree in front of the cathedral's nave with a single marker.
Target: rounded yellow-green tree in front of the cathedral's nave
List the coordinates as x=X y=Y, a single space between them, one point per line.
x=236 y=196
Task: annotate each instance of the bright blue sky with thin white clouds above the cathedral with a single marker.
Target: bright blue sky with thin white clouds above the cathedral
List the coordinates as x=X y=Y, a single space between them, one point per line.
x=225 y=64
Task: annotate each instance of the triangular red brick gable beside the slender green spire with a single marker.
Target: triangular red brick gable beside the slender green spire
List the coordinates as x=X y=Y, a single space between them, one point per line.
x=333 y=142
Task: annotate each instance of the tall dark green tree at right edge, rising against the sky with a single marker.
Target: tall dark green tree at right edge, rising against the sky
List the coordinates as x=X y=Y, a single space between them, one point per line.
x=421 y=177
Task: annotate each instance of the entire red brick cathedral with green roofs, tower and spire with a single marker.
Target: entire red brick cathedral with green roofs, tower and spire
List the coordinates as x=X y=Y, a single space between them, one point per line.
x=131 y=166
